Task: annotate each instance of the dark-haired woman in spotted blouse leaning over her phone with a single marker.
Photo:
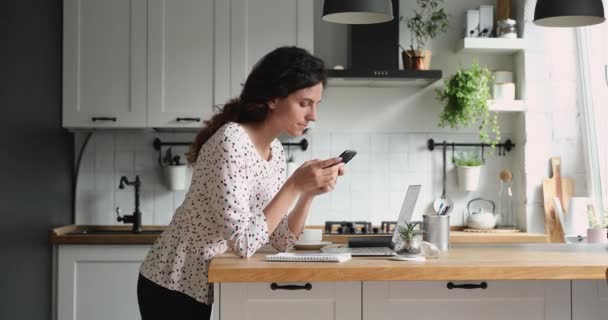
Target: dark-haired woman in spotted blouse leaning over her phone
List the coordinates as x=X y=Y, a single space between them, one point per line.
x=239 y=197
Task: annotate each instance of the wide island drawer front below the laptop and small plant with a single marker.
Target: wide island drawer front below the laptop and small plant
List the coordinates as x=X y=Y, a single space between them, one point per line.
x=508 y=300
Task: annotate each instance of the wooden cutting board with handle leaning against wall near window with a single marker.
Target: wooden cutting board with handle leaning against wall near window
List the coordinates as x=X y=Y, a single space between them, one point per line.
x=556 y=186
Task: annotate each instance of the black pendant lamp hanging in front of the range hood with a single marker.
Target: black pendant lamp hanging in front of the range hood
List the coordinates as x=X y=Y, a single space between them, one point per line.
x=357 y=11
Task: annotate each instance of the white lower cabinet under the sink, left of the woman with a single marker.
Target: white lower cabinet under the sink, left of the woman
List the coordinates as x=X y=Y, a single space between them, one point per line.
x=98 y=282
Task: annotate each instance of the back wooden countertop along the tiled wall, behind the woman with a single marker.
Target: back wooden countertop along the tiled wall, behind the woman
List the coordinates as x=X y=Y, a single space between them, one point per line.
x=82 y=234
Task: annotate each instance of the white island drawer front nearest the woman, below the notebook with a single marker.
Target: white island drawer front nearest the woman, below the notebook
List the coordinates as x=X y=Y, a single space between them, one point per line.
x=324 y=301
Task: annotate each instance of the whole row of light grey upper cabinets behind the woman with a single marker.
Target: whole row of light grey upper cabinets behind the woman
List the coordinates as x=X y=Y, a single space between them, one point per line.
x=164 y=64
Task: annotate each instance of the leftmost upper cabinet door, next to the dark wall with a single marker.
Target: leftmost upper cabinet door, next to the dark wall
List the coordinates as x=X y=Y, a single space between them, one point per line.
x=104 y=63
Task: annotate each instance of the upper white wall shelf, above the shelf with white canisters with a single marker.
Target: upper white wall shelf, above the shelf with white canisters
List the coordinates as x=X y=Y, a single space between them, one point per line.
x=491 y=45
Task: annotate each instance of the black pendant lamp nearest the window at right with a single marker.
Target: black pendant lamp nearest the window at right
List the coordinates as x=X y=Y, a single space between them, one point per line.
x=568 y=13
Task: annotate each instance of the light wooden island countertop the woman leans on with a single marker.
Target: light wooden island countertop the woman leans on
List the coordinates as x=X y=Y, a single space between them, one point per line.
x=461 y=262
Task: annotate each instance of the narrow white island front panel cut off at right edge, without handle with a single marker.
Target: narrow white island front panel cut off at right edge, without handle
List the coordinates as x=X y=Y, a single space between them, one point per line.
x=589 y=300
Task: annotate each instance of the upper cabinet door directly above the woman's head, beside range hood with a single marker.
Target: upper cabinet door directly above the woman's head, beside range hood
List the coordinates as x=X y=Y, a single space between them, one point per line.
x=259 y=26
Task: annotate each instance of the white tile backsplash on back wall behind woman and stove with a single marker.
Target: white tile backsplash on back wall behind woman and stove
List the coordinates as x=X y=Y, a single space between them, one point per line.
x=372 y=189
